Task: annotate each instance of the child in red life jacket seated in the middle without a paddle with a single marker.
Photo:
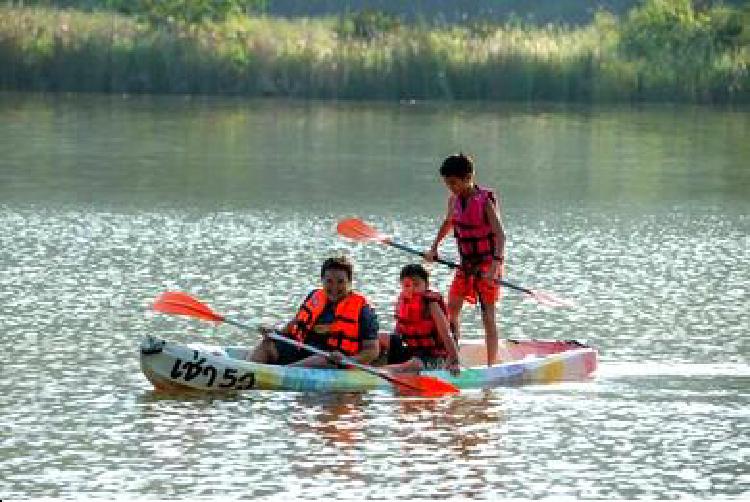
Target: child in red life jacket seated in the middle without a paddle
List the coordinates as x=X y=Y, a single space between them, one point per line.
x=423 y=338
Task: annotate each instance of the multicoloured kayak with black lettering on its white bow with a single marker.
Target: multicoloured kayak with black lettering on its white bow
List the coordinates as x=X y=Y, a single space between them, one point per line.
x=177 y=367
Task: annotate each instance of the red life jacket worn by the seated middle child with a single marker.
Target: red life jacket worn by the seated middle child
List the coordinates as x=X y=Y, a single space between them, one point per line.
x=415 y=324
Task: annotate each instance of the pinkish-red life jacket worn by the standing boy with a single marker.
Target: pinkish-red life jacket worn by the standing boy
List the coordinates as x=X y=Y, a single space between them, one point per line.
x=474 y=235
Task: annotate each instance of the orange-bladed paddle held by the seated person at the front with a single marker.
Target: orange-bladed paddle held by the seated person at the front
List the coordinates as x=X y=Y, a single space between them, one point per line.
x=173 y=302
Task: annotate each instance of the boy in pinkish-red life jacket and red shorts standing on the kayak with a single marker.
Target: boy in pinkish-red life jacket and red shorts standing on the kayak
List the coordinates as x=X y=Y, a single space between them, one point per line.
x=473 y=214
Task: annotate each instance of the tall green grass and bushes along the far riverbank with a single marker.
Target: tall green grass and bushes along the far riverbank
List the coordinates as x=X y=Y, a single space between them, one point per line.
x=663 y=50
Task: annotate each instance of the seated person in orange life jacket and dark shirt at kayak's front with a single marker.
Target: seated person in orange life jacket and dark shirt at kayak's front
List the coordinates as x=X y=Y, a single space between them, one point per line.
x=332 y=318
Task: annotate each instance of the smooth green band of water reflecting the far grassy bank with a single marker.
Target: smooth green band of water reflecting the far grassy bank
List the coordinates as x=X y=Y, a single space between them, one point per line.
x=212 y=153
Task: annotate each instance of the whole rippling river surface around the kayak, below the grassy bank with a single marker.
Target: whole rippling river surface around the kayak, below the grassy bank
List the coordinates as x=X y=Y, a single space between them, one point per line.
x=641 y=215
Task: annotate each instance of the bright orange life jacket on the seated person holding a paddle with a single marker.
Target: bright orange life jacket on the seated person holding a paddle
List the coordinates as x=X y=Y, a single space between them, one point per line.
x=343 y=332
